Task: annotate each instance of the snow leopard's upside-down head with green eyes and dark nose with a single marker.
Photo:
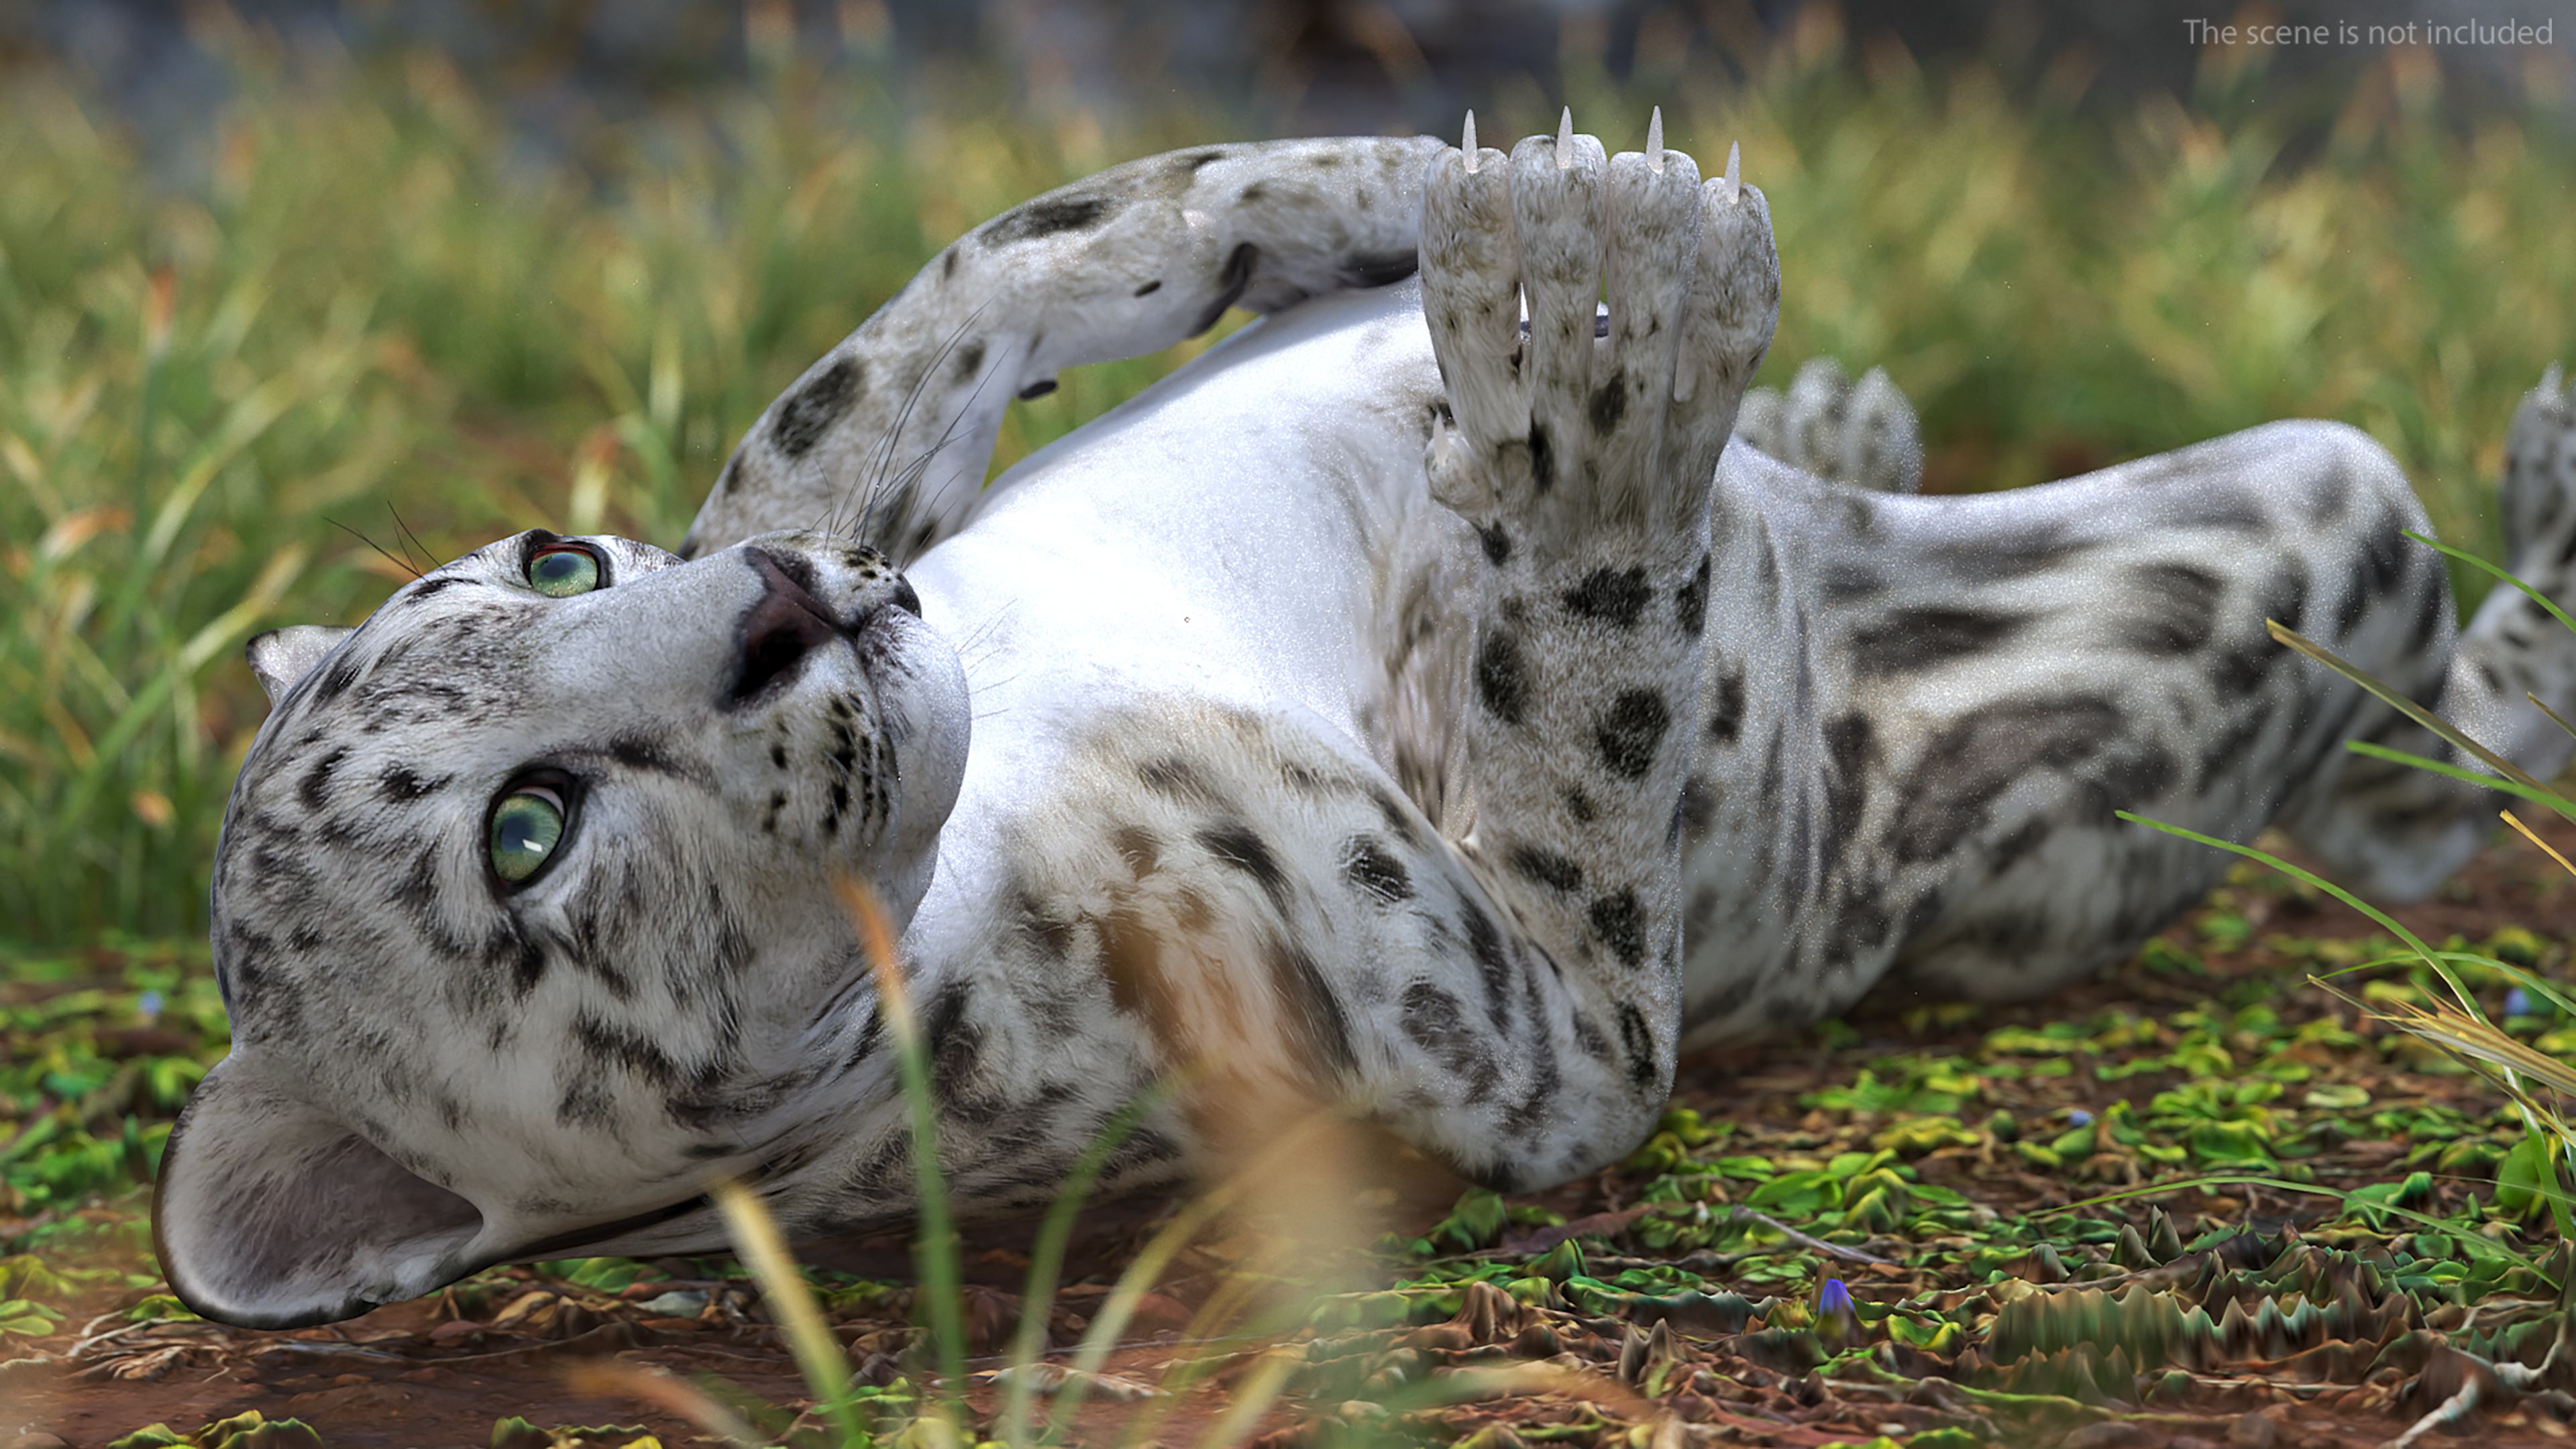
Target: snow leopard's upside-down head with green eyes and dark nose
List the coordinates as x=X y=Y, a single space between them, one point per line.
x=527 y=911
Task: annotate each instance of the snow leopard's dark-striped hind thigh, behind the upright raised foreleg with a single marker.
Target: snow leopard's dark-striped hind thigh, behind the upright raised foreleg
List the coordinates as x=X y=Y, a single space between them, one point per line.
x=1998 y=677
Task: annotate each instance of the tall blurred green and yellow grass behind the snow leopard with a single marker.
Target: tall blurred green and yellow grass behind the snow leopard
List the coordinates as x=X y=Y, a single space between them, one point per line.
x=218 y=398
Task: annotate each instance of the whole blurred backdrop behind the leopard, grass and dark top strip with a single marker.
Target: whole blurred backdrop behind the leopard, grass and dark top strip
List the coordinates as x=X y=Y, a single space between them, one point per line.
x=298 y=295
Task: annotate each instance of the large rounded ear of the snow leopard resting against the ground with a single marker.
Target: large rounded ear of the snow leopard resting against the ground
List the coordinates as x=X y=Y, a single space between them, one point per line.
x=269 y=1213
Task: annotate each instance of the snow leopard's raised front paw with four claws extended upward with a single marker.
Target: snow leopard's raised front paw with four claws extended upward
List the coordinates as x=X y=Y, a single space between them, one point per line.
x=1573 y=419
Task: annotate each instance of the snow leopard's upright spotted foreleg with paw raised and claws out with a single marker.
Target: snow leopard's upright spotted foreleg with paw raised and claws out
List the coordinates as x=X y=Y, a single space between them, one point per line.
x=1586 y=458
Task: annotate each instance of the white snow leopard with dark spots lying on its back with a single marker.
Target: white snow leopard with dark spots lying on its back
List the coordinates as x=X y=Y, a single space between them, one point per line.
x=1403 y=710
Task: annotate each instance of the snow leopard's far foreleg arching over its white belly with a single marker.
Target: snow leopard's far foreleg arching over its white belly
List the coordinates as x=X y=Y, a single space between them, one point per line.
x=890 y=434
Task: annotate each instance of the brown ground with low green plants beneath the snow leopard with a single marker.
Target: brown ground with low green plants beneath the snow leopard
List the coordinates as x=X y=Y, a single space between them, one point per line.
x=1941 y=1167
